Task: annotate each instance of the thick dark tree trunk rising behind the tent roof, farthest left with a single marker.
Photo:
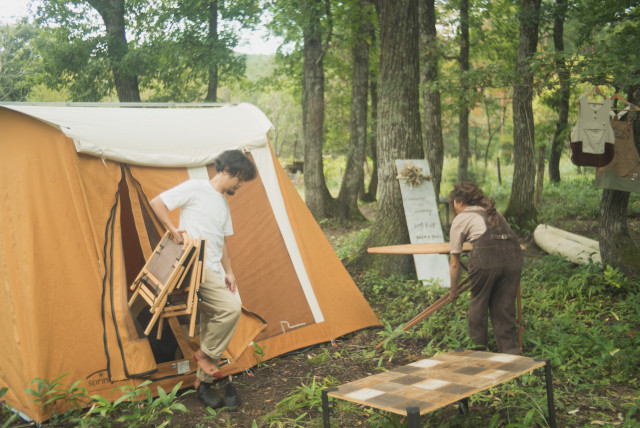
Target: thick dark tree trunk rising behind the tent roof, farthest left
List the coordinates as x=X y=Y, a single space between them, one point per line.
x=126 y=80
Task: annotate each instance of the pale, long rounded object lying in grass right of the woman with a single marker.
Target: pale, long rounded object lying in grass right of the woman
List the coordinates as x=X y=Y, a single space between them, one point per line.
x=575 y=248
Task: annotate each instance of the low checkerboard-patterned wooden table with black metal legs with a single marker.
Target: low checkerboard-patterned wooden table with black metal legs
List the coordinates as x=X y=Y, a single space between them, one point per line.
x=427 y=385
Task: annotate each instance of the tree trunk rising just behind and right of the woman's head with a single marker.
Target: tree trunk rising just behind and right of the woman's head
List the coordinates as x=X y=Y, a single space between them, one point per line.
x=521 y=202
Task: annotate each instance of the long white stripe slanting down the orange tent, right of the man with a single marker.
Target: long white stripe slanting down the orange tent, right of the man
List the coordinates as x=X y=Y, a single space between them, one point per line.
x=264 y=162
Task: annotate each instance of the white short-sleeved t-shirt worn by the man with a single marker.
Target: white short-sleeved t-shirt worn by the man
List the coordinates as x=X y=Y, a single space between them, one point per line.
x=204 y=213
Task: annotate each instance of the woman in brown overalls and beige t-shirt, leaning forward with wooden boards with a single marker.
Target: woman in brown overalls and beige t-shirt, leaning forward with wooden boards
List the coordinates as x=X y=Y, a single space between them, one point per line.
x=495 y=265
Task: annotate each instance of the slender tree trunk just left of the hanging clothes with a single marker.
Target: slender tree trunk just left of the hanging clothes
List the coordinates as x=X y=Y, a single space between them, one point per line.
x=563 y=92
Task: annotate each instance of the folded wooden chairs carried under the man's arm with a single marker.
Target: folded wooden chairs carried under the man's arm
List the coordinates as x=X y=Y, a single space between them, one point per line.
x=169 y=282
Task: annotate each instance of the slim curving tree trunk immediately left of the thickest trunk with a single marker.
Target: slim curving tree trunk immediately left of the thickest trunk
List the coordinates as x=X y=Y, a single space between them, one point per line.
x=352 y=181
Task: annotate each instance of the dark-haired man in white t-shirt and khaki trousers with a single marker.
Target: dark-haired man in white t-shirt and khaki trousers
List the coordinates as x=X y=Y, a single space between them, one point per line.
x=204 y=213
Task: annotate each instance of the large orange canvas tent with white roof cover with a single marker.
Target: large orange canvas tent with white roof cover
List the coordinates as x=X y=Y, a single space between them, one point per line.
x=76 y=228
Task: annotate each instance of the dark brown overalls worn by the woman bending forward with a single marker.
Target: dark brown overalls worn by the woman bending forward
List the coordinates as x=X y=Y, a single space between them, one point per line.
x=495 y=266
